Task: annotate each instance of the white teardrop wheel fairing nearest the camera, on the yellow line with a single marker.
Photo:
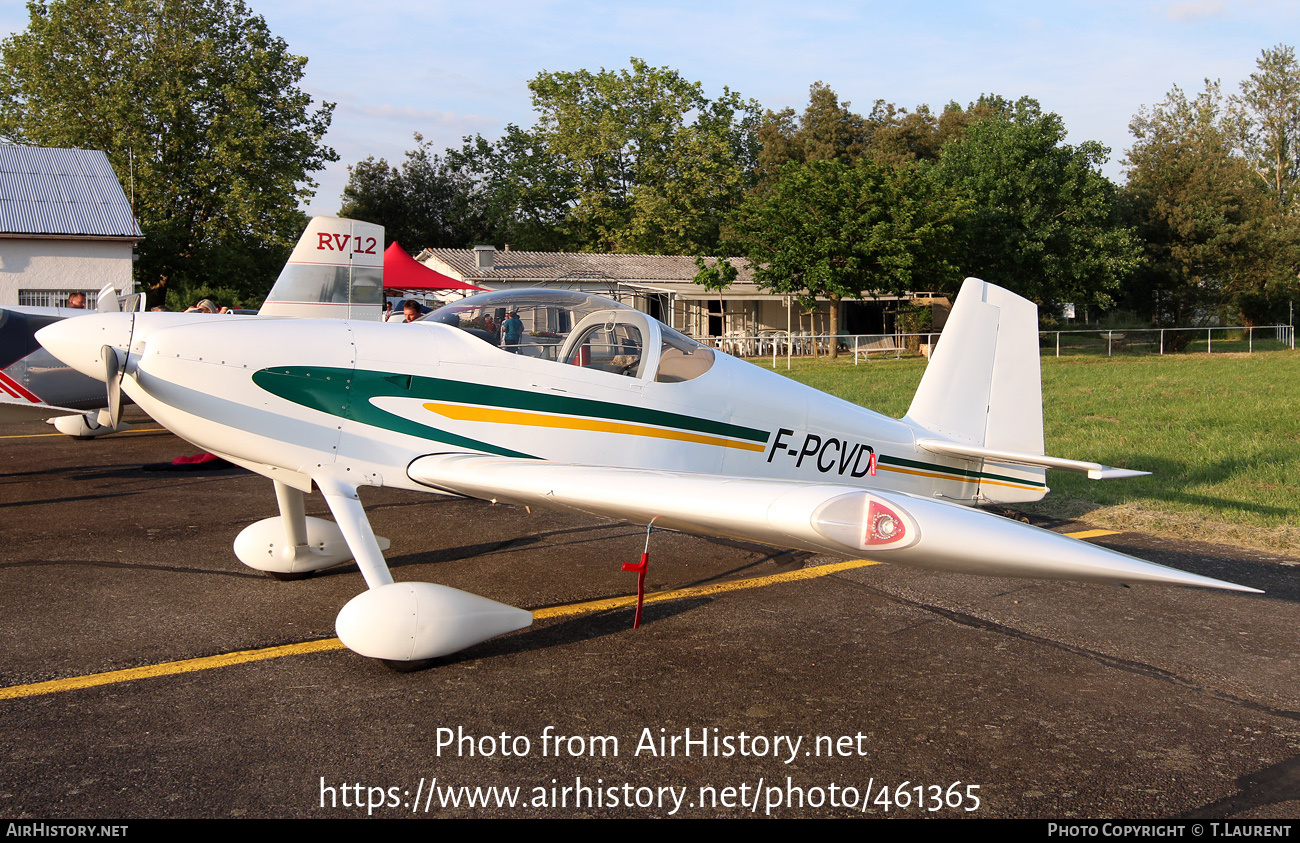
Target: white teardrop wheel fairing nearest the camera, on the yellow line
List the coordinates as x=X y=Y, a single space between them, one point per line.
x=415 y=621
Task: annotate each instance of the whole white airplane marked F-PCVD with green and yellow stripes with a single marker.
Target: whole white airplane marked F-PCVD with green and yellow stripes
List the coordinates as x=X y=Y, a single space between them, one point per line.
x=584 y=404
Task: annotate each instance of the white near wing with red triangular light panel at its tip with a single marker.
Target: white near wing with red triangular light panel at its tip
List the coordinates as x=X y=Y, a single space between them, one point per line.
x=818 y=517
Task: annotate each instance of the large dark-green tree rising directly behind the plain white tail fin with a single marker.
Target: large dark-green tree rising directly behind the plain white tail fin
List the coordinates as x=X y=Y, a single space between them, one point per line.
x=1042 y=221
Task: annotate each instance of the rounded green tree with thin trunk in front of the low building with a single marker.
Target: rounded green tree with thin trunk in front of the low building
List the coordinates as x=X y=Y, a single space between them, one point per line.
x=829 y=231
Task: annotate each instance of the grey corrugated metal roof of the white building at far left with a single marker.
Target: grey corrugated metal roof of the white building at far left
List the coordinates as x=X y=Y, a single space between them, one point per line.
x=62 y=192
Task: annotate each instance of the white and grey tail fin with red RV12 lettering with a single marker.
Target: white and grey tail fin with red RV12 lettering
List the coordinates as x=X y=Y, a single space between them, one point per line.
x=336 y=271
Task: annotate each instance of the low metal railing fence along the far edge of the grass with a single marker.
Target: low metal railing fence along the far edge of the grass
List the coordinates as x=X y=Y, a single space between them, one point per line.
x=1237 y=339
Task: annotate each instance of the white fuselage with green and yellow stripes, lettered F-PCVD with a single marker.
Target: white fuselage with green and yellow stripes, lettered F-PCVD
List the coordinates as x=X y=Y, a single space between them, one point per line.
x=363 y=400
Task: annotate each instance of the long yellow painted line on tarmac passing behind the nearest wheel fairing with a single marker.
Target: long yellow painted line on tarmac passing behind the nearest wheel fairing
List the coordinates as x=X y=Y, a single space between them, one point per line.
x=241 y=658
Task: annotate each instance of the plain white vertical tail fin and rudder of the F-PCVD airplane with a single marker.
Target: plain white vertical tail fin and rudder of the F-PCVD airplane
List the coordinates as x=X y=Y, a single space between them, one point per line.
x=983 y=386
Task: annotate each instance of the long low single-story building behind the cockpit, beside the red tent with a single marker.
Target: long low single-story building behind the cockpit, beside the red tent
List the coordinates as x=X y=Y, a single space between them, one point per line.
x=662 y=287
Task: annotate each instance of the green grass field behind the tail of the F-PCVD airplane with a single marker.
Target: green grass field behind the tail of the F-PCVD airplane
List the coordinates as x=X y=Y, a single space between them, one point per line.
x=1221 y=435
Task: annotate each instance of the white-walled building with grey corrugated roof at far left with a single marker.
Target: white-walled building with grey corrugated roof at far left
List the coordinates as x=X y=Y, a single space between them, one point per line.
x=66 y=227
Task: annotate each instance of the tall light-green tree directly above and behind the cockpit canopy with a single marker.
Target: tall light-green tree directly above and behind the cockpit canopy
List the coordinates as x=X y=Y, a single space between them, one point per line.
x=655 y=162
